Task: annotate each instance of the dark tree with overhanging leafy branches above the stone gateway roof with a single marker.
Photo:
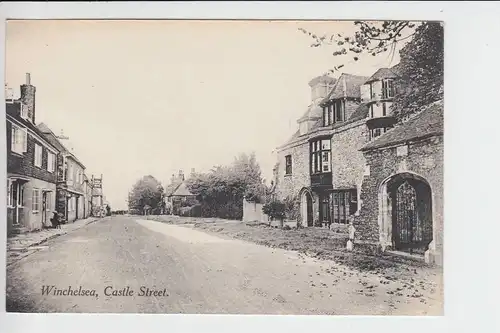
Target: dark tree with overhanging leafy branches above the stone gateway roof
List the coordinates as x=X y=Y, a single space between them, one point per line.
x=421 y=66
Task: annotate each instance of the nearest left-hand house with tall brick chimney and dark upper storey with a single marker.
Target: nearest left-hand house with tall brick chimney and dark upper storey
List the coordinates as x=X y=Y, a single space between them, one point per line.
x=31 y=166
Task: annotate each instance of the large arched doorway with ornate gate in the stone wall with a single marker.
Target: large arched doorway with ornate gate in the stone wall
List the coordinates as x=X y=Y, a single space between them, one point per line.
x=406 y=213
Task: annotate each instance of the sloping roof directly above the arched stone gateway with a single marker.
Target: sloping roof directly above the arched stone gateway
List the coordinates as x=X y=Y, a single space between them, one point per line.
x=428 y=122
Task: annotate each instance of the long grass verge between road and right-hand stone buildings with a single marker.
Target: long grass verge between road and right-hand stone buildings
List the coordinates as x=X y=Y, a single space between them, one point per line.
x=314 y=242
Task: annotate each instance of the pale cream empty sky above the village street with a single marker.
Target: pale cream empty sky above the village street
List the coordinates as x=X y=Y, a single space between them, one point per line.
x=142 y=98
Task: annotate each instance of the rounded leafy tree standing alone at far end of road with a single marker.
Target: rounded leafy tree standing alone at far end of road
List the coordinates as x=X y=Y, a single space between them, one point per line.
x=146 y=192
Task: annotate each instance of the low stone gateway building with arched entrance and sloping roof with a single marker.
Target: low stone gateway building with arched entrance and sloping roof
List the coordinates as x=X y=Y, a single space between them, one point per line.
x=402 y=192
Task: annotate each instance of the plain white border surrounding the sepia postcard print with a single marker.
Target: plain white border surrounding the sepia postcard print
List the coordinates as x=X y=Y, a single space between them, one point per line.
x=471 y=182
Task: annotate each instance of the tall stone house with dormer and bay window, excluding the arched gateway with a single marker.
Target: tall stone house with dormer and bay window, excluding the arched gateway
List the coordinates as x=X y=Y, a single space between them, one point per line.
x=321 y=167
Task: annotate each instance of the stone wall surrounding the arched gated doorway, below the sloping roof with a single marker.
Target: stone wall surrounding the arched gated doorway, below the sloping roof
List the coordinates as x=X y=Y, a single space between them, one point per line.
x=423 y=158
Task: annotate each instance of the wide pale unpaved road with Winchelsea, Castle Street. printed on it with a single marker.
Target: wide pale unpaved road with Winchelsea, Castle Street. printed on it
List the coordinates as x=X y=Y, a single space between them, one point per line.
x=187 y=271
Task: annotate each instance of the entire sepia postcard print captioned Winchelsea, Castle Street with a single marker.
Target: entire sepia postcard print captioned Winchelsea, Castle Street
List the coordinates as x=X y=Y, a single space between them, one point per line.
x=266 y=167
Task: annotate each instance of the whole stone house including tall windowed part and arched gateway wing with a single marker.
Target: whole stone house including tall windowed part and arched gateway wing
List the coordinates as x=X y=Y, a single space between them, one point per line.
x=350 y=161
